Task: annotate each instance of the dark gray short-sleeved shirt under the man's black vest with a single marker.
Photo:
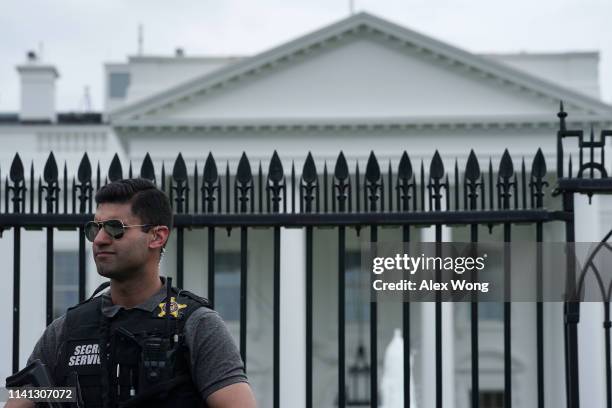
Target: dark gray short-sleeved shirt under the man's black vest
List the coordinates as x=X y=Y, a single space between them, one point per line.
x=215 y=360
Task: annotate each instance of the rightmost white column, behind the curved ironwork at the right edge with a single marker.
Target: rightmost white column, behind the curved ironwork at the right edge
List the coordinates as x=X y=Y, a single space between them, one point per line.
x=591 y=351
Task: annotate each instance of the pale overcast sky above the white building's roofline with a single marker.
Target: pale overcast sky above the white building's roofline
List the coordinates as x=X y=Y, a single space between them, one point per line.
x=80 y=36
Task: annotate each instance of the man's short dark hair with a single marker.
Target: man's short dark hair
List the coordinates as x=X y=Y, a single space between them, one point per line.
x=149 y=203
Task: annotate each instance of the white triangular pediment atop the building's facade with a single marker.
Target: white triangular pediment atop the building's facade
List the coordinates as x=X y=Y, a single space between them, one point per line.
x=361 y=67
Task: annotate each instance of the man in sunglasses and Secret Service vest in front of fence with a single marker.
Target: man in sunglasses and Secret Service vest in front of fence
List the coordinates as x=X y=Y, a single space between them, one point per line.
x=142 y=343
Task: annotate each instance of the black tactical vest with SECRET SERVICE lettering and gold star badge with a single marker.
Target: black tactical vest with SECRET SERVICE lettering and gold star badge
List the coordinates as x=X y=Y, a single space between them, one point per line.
x=147 y=361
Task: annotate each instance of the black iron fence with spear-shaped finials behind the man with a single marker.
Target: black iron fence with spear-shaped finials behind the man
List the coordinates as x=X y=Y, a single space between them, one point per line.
x=409 y=195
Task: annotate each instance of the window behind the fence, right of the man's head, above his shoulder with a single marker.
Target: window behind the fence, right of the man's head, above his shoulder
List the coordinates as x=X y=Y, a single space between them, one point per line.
x=227 y=285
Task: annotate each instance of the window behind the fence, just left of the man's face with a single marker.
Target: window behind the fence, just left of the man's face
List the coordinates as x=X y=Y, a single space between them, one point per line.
x=65 y=282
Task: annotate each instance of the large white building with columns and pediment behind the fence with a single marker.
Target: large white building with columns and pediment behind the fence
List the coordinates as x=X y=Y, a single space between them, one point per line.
x=358 y=85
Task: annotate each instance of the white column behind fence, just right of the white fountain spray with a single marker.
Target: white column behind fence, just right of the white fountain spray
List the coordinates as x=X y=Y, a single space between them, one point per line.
x=428 y=343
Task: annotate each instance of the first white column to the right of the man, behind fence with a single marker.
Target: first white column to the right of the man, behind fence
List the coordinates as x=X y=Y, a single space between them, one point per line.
x=293 y=317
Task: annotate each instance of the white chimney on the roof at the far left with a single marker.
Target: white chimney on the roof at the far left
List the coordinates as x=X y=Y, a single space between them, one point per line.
x=37 y=90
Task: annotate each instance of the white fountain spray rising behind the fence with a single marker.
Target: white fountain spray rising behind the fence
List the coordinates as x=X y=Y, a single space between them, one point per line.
x=392 y=386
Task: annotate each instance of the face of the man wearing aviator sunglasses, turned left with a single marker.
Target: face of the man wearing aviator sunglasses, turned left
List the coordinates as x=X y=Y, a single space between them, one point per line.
x=125 y=257
